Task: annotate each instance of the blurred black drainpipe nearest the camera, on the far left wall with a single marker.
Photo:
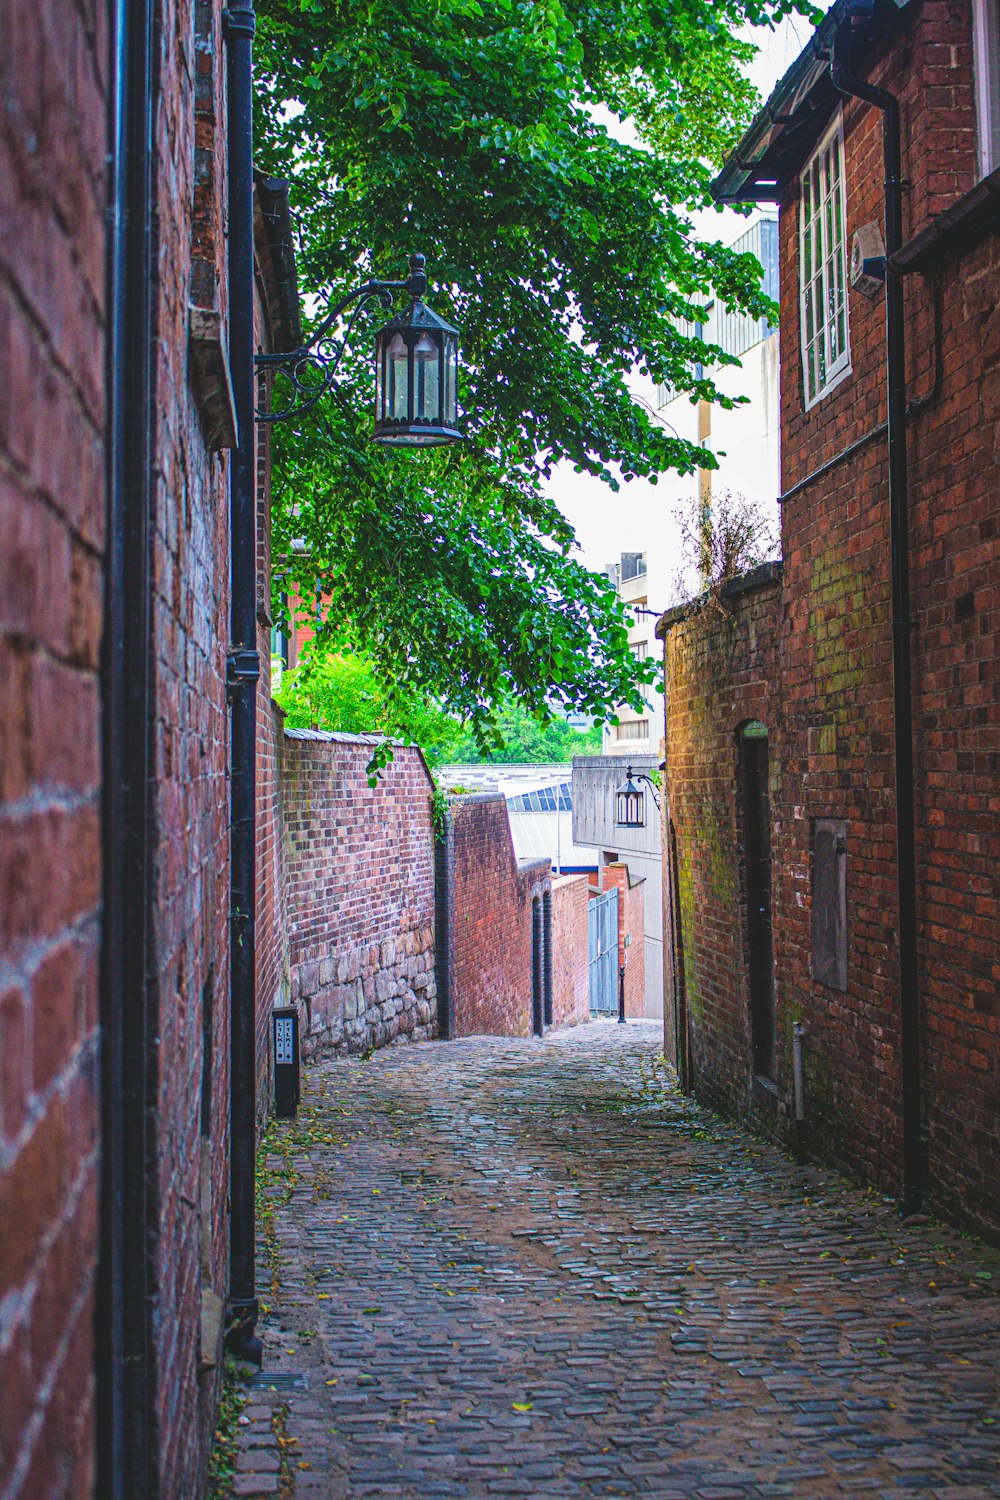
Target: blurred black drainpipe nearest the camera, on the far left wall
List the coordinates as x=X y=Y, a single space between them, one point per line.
x=127 y=1447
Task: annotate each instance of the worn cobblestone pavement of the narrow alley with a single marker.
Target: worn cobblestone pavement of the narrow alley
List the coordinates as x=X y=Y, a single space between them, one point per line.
x=531 y=1268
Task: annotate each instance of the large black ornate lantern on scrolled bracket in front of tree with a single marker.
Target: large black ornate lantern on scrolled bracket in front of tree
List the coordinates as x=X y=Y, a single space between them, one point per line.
x=416 y=367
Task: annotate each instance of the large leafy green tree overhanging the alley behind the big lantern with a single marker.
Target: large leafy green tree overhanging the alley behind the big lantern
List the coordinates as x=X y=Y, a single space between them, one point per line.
x=472 y=131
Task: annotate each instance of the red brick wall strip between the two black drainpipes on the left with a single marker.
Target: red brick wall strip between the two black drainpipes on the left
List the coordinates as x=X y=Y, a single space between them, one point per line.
x=191 y=629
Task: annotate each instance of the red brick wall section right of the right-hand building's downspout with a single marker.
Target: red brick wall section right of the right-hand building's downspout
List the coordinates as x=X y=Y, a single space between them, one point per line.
x=957 y=721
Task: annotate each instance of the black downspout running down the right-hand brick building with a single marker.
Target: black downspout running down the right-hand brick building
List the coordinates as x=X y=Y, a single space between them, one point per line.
x=902 y=625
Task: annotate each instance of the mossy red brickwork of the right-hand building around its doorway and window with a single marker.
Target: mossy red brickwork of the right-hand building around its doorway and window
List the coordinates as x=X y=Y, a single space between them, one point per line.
x=825 y=688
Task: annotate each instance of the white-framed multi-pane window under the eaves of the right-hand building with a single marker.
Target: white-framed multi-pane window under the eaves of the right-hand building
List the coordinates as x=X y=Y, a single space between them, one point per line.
x=824 y=304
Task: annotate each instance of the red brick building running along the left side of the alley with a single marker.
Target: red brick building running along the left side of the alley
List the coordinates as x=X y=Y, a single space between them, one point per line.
x=115 y=745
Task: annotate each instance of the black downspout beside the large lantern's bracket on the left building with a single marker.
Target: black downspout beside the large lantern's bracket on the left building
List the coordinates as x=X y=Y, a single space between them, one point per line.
x=242 y=676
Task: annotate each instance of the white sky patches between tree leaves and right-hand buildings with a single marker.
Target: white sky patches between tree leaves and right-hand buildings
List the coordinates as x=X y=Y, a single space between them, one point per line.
x=606 y=523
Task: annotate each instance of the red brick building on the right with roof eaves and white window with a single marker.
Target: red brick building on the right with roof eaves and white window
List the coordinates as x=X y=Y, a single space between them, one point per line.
x=788 y=781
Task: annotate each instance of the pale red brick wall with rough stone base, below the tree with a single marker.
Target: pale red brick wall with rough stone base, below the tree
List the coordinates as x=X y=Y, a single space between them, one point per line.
x=359 y=875
